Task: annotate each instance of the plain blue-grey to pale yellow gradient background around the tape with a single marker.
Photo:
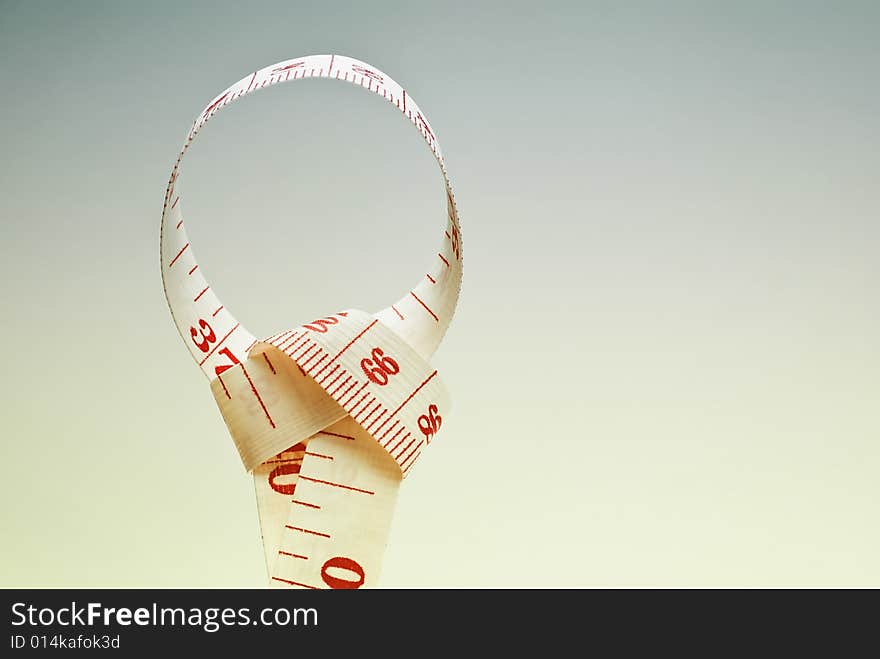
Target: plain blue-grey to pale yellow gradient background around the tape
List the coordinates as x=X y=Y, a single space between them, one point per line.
x=665 y=360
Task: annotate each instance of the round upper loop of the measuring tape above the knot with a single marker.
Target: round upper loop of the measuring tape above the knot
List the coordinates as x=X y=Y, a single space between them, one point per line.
x=213 y=335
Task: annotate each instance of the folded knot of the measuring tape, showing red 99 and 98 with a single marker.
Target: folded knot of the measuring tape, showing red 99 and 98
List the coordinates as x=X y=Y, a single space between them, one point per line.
x=345 y=364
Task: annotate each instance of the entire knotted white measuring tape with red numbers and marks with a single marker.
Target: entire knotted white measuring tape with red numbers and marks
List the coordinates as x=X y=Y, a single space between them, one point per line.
x=329 y=416
